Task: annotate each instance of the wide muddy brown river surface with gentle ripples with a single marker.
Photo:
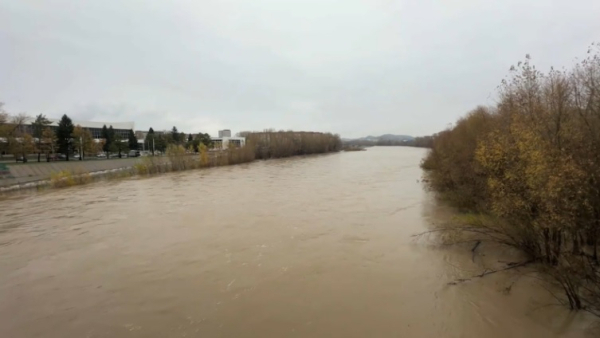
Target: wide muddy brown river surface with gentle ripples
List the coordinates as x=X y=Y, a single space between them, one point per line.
x=315 y=246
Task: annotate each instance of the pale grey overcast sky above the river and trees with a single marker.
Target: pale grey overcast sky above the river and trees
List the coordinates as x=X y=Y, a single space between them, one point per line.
x=354 y=67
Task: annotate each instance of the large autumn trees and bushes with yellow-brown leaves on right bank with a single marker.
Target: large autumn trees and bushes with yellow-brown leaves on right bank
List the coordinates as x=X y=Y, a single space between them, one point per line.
x=533 y=162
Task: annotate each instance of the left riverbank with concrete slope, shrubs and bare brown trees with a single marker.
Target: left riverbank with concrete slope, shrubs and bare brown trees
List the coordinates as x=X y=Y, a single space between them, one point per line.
x=259 y=145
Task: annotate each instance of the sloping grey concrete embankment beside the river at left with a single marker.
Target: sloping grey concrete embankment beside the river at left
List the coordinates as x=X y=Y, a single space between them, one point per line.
x=19 y=174
